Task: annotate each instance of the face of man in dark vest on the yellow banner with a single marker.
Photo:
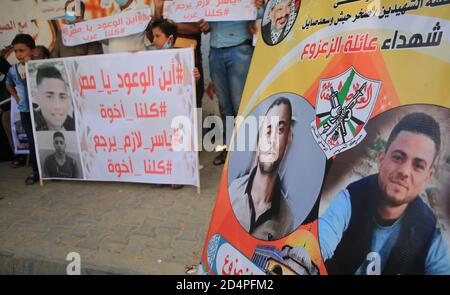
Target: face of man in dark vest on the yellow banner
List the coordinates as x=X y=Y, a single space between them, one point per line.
x=406 y=167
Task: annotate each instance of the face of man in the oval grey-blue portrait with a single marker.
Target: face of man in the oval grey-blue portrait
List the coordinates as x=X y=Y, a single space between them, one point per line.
x=273 y=138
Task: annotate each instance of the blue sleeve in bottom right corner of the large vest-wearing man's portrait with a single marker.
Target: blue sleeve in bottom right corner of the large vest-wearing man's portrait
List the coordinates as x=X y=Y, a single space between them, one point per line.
x=438 y=257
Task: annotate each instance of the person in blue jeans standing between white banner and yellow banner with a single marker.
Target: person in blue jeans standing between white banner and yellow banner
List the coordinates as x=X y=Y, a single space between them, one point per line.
x=229 y=61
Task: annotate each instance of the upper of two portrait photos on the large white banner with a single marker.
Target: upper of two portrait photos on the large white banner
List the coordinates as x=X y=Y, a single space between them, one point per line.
x=51 y=96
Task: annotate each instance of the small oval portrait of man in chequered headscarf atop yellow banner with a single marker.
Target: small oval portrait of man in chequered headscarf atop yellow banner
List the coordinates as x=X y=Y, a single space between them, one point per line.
x=279 y=17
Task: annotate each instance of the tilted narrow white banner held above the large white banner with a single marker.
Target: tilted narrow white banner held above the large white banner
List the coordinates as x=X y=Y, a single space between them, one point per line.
x=114 y=26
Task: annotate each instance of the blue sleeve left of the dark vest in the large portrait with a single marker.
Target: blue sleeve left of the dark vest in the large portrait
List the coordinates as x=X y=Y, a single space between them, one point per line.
x=333 y=223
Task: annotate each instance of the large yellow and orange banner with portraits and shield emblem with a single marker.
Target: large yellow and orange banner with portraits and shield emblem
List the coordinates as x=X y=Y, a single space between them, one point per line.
x=354 y=101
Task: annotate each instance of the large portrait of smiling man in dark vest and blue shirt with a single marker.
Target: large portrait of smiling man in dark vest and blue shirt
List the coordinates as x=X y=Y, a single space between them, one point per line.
x=384 y=207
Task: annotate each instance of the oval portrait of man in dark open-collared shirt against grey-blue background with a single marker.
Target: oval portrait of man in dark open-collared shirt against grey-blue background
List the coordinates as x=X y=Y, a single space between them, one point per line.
x=275 y=180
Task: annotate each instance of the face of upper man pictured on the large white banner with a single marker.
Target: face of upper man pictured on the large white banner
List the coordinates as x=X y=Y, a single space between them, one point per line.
x=54 y=103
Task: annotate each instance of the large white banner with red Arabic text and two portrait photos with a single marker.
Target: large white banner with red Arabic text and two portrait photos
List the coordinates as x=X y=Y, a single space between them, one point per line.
x=122 y=117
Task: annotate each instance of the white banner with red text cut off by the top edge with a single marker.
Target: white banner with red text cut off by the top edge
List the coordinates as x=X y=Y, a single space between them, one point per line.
x=187 y=11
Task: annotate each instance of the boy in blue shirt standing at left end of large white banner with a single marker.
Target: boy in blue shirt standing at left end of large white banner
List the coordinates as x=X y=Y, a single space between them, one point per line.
x=16 y=85
